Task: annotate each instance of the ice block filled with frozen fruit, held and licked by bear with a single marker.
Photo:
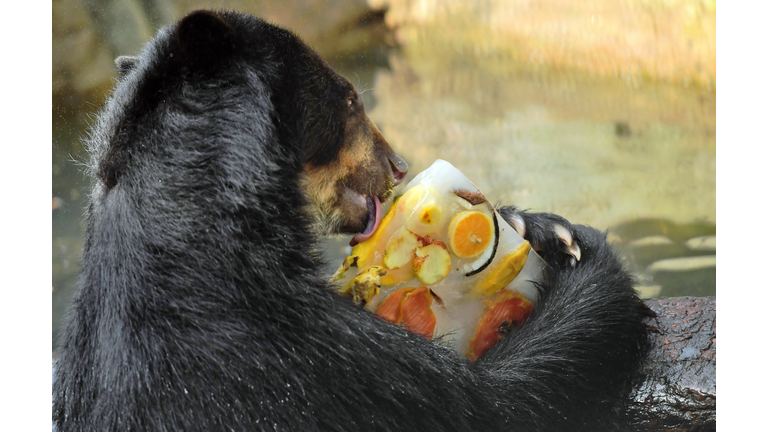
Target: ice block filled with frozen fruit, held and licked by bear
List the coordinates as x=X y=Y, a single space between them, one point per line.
x=444 y=264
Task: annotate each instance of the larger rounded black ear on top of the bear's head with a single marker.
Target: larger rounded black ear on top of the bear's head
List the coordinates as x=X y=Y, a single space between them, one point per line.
x=204 y=35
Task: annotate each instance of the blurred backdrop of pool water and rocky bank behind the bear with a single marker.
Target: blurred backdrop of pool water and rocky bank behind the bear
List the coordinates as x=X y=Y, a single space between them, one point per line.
x=602 y=111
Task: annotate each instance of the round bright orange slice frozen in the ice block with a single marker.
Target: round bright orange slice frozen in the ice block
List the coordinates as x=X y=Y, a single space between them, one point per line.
x=470 y=233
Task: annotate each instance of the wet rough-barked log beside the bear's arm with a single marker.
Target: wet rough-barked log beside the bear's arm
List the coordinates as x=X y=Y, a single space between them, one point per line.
x=677 y=390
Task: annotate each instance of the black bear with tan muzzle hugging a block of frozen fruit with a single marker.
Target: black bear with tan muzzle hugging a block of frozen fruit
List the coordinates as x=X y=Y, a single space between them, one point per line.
x=226 y=149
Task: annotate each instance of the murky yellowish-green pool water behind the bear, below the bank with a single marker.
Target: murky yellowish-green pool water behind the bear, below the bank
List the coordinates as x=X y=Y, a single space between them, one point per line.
x=624 y=153
